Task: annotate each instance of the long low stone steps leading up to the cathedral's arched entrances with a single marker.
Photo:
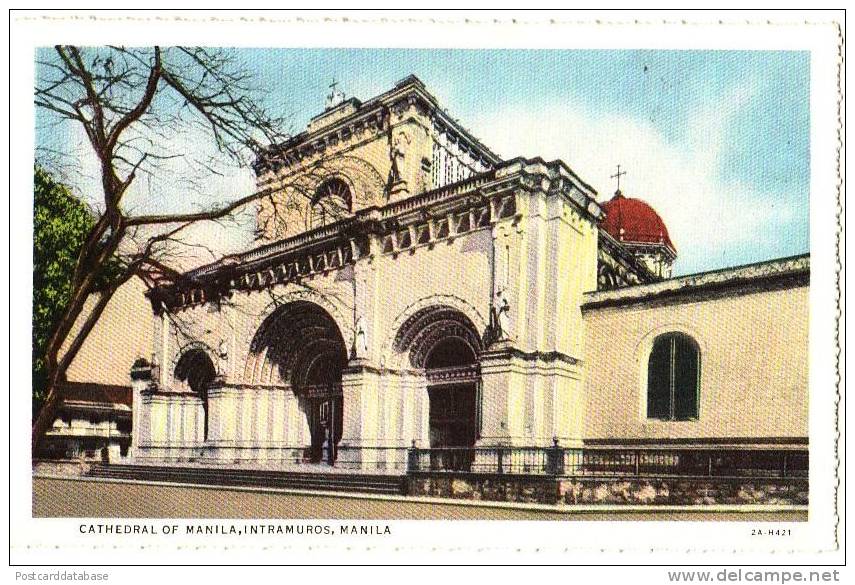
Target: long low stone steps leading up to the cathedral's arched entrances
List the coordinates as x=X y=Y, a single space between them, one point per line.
x=333 y=482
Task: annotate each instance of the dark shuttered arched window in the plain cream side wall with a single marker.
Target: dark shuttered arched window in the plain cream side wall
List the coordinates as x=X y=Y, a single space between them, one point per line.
x=673 y=375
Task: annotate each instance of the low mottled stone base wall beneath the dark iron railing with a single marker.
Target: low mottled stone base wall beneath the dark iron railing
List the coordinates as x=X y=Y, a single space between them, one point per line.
x=614 y=491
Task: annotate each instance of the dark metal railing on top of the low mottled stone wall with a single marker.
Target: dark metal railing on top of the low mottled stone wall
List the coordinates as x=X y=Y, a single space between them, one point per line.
x=612 y=462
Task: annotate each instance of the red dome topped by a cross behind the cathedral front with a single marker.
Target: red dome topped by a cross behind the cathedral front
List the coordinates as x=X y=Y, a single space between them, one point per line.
x=633 y=221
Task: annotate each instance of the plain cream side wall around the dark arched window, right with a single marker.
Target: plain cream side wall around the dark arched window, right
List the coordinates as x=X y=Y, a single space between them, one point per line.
x=754 y=366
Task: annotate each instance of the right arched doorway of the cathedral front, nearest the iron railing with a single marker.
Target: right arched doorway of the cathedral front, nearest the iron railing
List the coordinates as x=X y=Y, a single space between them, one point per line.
x=444 y=343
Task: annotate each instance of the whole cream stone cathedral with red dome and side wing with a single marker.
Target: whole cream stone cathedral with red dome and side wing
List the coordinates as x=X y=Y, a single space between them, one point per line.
x=418 y=303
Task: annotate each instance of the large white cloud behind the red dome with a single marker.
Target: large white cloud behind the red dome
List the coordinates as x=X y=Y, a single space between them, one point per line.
x=708 y=217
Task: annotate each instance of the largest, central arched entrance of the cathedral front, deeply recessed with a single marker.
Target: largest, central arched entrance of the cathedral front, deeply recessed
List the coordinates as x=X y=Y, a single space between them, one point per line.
x=301 y=343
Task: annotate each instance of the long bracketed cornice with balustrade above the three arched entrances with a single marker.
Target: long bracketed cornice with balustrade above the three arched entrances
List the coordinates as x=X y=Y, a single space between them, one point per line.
x=485 y=199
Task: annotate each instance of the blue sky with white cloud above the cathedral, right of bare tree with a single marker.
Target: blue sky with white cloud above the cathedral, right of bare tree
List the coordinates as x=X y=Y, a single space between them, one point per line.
x=716 y=141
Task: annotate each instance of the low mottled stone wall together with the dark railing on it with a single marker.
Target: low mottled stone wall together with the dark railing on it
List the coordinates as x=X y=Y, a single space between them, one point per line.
x=612 y=475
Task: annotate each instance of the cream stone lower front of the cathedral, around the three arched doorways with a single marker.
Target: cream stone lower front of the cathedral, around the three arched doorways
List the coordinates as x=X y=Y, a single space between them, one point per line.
x=389 y=300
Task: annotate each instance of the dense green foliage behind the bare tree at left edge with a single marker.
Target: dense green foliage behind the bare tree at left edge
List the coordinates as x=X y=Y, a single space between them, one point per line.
x=61 y=223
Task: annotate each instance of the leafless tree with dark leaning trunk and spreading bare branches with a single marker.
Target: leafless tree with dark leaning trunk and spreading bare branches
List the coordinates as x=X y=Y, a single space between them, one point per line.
x=132 y=103
